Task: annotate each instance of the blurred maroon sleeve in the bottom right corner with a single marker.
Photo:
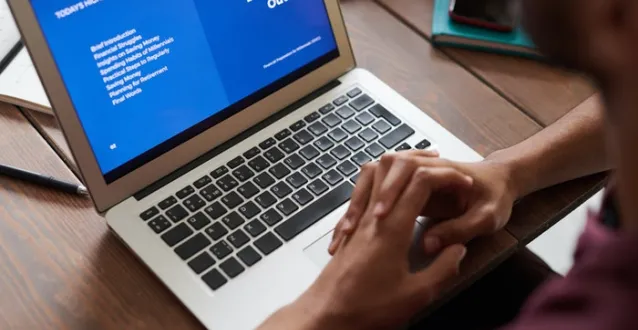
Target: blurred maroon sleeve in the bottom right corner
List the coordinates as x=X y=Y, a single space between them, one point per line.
x=601 y=292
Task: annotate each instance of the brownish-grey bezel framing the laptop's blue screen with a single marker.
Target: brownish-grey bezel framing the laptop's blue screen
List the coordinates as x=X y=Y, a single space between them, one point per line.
x=107 y=195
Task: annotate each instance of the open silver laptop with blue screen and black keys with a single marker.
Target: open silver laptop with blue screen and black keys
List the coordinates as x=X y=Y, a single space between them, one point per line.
x=221 y=142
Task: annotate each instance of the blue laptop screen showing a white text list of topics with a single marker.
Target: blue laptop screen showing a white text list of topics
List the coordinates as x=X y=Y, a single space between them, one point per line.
x=145 y=76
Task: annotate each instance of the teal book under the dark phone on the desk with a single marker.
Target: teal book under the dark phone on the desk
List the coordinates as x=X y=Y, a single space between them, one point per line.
x=446 y=32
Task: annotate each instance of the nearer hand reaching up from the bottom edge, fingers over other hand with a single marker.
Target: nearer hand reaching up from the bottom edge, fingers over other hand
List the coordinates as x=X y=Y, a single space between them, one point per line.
x=368 y=283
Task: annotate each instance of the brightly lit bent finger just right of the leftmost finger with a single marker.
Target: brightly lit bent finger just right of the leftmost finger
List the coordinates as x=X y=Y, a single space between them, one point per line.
x=393 y=184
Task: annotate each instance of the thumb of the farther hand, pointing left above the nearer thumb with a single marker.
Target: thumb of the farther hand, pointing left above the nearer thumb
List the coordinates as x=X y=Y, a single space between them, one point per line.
x=476 y=222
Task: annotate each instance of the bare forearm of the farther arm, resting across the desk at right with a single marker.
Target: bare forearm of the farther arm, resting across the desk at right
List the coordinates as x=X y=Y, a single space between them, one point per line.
x=572 y=147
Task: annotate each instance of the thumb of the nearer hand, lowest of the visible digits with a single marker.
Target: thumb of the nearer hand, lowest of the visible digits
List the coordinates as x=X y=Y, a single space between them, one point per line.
x=444 y=269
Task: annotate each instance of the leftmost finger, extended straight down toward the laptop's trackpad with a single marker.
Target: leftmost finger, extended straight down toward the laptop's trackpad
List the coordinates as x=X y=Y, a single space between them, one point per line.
x=358 y=205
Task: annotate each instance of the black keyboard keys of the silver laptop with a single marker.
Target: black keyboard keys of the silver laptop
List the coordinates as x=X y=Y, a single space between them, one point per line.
x=245 y=210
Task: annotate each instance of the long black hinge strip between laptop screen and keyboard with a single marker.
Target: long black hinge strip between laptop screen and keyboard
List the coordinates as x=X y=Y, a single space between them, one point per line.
x=234 y=141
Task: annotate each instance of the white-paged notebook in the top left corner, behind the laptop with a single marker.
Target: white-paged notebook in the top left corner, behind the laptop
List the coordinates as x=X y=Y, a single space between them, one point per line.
x=19 y=82
